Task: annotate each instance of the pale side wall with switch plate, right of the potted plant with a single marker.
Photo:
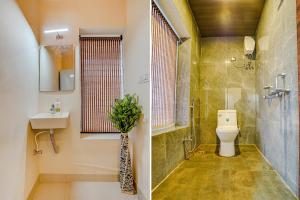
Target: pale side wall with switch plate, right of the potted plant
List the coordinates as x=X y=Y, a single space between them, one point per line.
x=137 y=64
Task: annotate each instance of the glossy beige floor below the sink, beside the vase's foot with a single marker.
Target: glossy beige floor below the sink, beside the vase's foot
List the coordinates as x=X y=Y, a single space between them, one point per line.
x=80 y=191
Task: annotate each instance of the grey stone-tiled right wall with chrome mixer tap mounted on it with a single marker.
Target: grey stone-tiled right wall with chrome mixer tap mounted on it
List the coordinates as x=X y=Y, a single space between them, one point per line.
x=278 y=119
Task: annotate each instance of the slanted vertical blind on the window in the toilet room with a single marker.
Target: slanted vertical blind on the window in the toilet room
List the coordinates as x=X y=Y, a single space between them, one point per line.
x=163 y=70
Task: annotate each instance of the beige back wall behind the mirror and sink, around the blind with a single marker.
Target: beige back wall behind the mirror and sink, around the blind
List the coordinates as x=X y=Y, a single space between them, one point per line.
x=78 y=155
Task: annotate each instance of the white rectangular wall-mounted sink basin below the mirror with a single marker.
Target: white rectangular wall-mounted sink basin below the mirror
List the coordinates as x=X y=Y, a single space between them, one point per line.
x=50 y=121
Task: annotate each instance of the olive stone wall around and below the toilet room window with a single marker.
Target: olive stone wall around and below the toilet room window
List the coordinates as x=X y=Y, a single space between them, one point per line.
x=167 y=147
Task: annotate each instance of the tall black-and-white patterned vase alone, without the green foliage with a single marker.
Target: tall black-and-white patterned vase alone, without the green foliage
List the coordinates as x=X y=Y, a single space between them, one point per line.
x=126 y=174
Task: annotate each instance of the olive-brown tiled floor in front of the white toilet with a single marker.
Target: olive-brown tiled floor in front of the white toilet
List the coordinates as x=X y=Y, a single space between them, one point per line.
x=208 y=176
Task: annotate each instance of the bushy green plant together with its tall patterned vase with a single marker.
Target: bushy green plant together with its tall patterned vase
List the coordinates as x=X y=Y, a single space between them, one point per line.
x=124 y=115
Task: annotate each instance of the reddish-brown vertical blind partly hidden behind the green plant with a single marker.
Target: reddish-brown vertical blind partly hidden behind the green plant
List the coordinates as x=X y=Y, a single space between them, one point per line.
x=100 y=82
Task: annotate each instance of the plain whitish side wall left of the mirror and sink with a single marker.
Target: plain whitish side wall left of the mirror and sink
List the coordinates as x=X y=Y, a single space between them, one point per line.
x=19 y=95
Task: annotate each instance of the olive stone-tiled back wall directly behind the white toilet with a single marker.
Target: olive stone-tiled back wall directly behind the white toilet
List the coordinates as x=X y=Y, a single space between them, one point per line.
x=226 y=84
